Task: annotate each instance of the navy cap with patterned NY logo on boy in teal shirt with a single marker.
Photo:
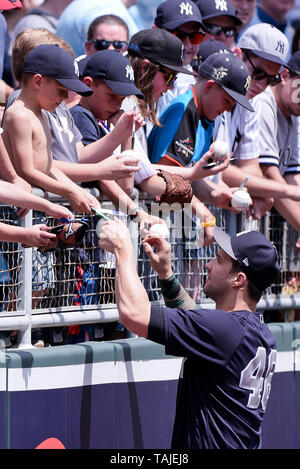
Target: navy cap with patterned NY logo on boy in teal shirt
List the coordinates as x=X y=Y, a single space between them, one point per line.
x=230 y=73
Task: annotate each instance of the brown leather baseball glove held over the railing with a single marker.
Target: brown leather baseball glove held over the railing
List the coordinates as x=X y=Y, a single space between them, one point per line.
x=178 y=189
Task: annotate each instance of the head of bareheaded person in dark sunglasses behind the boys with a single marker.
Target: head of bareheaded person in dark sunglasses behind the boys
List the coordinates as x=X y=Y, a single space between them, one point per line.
x=107 y=32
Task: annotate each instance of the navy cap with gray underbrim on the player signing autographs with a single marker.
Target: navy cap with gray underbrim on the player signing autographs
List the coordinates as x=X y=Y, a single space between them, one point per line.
x=254 y=252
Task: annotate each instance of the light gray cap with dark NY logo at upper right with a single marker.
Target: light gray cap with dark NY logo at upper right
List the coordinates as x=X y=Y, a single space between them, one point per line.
x=265 y=41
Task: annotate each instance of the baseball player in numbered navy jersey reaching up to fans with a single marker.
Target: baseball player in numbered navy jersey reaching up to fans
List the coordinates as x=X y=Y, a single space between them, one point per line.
x=230 y=354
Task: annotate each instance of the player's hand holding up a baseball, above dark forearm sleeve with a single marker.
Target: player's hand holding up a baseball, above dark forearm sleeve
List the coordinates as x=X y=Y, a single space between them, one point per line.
x=158 y=250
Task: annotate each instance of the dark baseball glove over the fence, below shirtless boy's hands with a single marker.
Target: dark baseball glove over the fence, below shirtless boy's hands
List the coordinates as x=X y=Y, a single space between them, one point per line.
x=68 y=235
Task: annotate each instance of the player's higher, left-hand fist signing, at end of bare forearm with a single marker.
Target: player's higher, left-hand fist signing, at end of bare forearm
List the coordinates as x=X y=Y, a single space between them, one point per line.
x=114 y=236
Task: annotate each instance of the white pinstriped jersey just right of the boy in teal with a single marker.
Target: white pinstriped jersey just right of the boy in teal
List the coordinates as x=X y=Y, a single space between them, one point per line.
x=240 y=129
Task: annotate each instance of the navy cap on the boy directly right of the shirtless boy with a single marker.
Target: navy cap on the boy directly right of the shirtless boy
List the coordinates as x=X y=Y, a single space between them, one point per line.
x=115 y=70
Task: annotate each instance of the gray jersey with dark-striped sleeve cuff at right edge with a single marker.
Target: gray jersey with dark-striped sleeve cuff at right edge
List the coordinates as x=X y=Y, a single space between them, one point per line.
x=279 y=136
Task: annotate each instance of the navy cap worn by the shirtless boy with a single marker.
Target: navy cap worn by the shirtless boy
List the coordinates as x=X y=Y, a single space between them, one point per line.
x=52 y=61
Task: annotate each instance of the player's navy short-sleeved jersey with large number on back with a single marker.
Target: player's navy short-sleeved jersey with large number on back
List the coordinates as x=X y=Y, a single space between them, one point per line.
x=226 y=374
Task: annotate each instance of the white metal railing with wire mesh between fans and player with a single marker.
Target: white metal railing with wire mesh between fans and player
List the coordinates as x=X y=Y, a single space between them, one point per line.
x=76 y=286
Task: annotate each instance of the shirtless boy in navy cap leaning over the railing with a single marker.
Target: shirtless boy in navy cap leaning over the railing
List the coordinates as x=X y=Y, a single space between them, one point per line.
x=48 y=73
